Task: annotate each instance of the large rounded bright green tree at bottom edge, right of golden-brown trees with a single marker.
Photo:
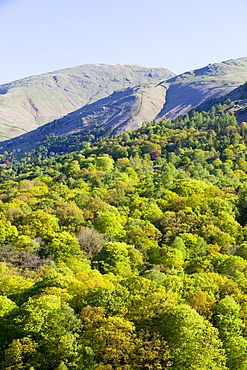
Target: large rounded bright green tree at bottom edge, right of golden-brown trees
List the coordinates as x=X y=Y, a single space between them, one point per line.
x=193 y=341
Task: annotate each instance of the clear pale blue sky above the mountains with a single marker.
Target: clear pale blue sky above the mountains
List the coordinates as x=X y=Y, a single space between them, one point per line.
x=39 y=36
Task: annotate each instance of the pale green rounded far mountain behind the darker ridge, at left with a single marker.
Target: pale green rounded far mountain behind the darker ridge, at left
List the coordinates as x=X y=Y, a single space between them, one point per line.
x=31 y=102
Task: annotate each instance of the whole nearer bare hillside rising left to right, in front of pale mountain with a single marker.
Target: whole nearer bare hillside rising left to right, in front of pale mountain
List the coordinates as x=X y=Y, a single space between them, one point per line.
x=129 y=108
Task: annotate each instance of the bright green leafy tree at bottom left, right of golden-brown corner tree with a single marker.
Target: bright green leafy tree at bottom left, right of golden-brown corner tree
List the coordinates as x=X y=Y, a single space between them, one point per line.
x=54 y=327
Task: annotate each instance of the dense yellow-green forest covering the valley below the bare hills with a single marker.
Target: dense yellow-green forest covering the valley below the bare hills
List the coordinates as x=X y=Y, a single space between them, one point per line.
x=128 y=252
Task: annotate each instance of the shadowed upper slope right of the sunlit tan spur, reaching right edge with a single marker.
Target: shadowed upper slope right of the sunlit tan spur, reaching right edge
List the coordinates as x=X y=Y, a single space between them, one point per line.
x=191 y=89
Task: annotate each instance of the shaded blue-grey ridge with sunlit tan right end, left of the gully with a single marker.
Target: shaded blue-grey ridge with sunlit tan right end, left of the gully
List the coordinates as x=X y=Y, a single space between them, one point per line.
x=123 y=110
